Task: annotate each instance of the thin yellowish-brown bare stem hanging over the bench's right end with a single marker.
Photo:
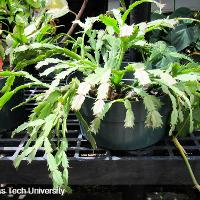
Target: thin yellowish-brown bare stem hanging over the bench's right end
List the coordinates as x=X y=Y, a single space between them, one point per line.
x=184 y=156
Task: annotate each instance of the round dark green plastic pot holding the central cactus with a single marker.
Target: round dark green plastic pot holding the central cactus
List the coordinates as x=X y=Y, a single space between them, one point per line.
x=114 y=136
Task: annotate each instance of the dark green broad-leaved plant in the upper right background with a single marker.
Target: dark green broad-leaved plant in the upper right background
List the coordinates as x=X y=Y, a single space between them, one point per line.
x=185 y=37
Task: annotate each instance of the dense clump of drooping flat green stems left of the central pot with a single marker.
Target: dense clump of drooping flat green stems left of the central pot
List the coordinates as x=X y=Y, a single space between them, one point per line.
x=49 y=118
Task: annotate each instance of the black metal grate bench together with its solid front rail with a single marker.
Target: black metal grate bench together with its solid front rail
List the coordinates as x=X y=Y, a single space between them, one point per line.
x=160 y=164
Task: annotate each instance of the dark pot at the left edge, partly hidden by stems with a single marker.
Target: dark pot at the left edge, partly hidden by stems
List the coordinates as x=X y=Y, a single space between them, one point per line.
x=11 y=119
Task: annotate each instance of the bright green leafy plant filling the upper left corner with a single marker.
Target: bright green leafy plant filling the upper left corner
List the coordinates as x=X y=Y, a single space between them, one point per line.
x=27 y=22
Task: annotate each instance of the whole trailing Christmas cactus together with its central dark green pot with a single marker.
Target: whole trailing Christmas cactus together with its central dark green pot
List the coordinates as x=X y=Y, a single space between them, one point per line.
x=119 y=107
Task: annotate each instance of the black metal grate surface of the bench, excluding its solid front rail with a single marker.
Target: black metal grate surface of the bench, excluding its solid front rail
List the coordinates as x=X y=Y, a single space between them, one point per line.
x=80 y=148
